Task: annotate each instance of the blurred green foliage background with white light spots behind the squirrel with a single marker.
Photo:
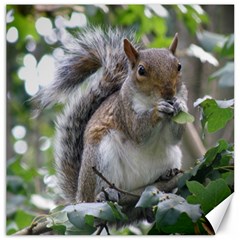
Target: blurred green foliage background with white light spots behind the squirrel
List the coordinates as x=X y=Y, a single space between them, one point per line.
x=34 y=36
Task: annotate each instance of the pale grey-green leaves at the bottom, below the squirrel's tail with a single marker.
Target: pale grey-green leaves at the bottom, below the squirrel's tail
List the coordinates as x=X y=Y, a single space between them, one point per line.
x=83 y=218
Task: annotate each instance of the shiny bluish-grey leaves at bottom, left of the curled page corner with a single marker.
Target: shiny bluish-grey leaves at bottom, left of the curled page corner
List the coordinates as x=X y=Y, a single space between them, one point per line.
x=171 y=211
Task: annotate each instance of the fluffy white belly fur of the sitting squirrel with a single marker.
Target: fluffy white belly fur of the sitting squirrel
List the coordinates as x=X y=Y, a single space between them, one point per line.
x=132 y=166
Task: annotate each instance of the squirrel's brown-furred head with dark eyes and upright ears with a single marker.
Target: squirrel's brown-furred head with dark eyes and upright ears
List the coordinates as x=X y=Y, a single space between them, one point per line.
x=155 y=71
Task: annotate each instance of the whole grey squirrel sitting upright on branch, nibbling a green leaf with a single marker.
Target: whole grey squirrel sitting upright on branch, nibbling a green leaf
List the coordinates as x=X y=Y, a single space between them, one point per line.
x=119 y=102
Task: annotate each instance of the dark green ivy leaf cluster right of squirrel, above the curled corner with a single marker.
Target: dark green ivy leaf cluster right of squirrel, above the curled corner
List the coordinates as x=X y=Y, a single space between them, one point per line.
x=211 y=180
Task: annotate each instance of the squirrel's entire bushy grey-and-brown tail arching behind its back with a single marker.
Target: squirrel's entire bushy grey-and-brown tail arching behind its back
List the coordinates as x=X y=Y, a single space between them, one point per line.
x=93 y=68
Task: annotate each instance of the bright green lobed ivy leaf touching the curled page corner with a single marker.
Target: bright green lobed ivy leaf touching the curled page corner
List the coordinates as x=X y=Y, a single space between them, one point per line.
x=210 y=196
